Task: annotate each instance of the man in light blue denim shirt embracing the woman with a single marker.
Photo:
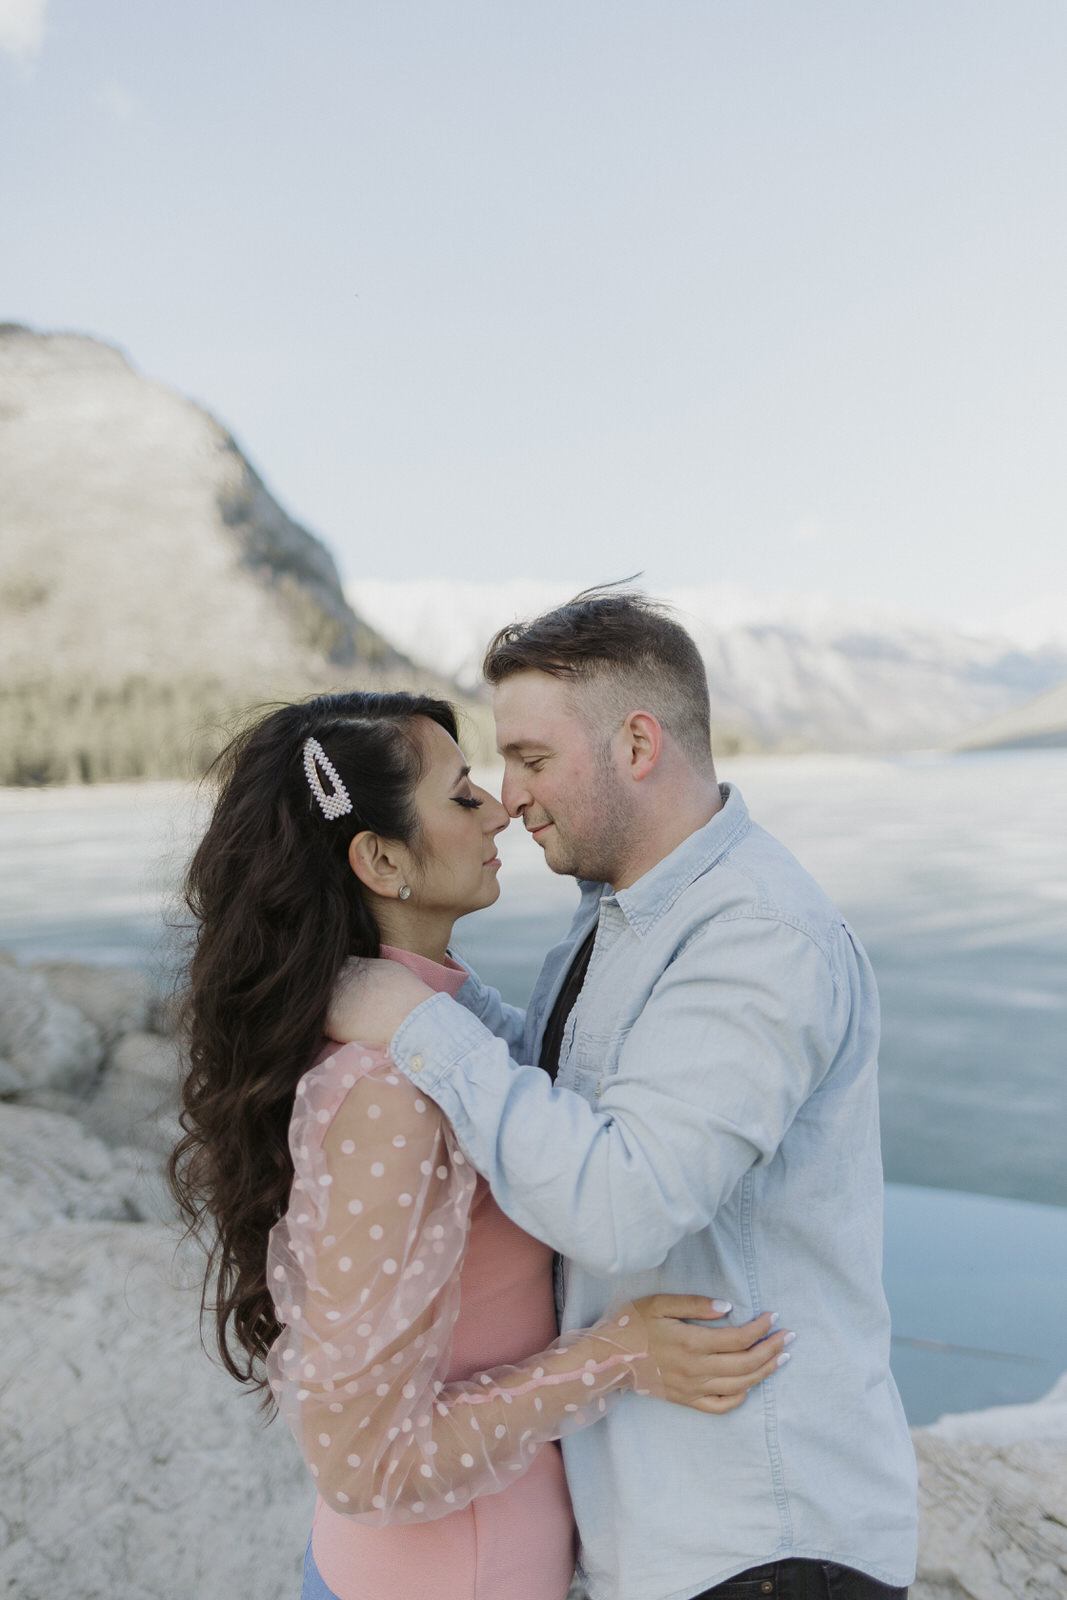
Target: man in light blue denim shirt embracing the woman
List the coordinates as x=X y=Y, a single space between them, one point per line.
x=711 y=1025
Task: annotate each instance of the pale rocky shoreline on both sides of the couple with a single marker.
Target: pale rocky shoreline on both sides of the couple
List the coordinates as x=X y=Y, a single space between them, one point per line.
x=132 y=1468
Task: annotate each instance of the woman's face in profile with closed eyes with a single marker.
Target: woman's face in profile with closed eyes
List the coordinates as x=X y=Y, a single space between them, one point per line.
x=458 y=826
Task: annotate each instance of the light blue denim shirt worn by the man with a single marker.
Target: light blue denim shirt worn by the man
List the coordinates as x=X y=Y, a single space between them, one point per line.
x=714 y=1130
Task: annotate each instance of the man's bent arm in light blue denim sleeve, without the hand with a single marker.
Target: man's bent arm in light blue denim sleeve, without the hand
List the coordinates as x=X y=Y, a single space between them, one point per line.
x=708 y=1084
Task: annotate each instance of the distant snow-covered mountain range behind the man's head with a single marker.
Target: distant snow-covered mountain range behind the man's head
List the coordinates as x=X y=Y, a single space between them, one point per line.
x=785 y=671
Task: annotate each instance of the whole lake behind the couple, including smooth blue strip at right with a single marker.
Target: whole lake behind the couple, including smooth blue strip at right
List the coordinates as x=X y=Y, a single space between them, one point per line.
x=953 y=871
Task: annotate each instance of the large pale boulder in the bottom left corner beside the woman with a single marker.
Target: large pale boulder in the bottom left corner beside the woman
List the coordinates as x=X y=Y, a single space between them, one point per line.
x=132 y=1468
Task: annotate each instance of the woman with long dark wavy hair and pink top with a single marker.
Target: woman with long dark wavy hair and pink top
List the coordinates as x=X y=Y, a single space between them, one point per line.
x=364 y=1274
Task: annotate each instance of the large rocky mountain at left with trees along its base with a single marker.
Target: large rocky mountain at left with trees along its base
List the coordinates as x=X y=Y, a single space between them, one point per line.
x=150 y=585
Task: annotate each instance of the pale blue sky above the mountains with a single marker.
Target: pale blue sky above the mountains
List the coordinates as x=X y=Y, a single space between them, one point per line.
x=748 y=292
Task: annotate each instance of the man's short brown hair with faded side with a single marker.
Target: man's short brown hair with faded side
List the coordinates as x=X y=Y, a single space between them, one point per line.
x=623 y=652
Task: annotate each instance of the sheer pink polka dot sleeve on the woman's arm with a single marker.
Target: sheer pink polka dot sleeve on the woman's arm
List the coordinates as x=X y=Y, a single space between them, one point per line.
x=366 y=1279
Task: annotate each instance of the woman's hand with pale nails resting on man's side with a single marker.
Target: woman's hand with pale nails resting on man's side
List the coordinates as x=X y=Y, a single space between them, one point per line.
x=708 y=1369
